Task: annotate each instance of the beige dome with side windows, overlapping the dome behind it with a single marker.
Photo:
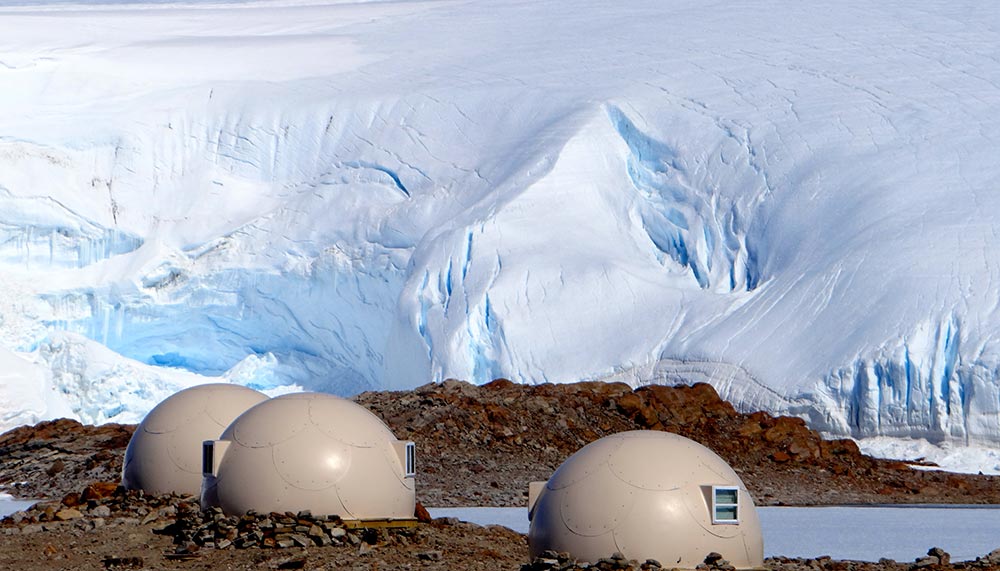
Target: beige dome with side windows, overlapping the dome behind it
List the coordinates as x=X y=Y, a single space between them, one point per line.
x=310 y=451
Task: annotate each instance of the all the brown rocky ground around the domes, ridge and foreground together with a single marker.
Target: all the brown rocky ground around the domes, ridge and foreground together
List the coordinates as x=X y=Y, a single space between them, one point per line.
x=476 y=446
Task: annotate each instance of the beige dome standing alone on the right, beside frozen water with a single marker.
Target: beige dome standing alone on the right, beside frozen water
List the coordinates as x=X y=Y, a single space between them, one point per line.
x=648 y=495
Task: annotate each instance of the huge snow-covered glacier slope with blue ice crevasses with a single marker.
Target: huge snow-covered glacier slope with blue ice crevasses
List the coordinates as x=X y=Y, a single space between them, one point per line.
x=793 y=201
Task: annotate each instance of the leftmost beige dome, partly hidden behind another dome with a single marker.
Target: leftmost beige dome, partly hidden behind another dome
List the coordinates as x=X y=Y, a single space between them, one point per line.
x=164 y=454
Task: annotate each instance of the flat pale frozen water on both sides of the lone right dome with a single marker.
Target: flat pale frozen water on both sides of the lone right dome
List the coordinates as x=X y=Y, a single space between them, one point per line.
x=859 y=533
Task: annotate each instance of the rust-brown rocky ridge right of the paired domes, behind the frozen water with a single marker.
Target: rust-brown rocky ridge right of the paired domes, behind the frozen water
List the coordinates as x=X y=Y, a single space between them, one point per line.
x=483 y=445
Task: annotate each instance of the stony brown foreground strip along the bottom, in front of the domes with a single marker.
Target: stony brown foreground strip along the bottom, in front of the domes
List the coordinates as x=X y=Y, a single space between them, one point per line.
x=104 y=527
